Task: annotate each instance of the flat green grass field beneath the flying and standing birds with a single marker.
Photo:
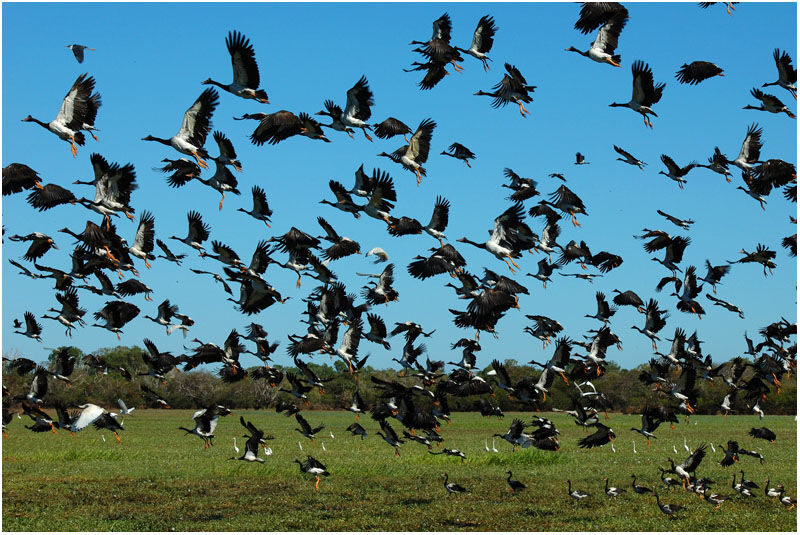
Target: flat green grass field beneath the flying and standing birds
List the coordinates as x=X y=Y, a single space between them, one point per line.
x=157 y=479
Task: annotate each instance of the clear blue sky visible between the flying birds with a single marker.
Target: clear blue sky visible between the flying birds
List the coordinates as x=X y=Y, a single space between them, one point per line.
x=151 y=58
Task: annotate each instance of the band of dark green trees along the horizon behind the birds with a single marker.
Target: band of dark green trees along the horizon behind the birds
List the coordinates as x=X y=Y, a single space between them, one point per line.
x=621 y=386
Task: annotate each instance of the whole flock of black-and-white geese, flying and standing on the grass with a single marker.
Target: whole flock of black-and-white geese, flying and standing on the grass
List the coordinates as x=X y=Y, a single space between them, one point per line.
x=418 y=405
